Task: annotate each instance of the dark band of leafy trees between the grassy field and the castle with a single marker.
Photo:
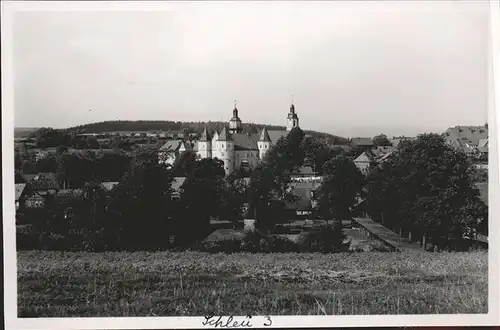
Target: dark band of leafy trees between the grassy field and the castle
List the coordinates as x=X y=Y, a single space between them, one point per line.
x=425 y=189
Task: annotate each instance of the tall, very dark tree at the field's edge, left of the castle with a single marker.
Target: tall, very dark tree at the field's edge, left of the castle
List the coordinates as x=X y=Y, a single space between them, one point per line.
x=141 y=207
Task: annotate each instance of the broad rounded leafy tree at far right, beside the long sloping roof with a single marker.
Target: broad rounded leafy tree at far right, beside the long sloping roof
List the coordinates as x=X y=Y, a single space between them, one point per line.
x=427 y=190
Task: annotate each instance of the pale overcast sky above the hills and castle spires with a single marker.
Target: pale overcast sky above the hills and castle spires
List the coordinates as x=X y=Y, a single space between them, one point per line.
x=356 y=68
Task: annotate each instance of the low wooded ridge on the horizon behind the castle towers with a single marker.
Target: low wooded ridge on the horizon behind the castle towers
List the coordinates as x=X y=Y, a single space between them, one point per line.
x=184 y=127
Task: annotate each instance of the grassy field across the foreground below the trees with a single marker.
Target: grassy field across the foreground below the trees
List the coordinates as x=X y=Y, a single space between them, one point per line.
x=55 y=284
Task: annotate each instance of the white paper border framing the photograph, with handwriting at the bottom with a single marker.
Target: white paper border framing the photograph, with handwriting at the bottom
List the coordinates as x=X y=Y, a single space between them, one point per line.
x=9 y=229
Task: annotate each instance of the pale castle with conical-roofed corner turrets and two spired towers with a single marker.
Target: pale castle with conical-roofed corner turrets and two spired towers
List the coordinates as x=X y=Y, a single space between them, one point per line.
x=237 y=149
